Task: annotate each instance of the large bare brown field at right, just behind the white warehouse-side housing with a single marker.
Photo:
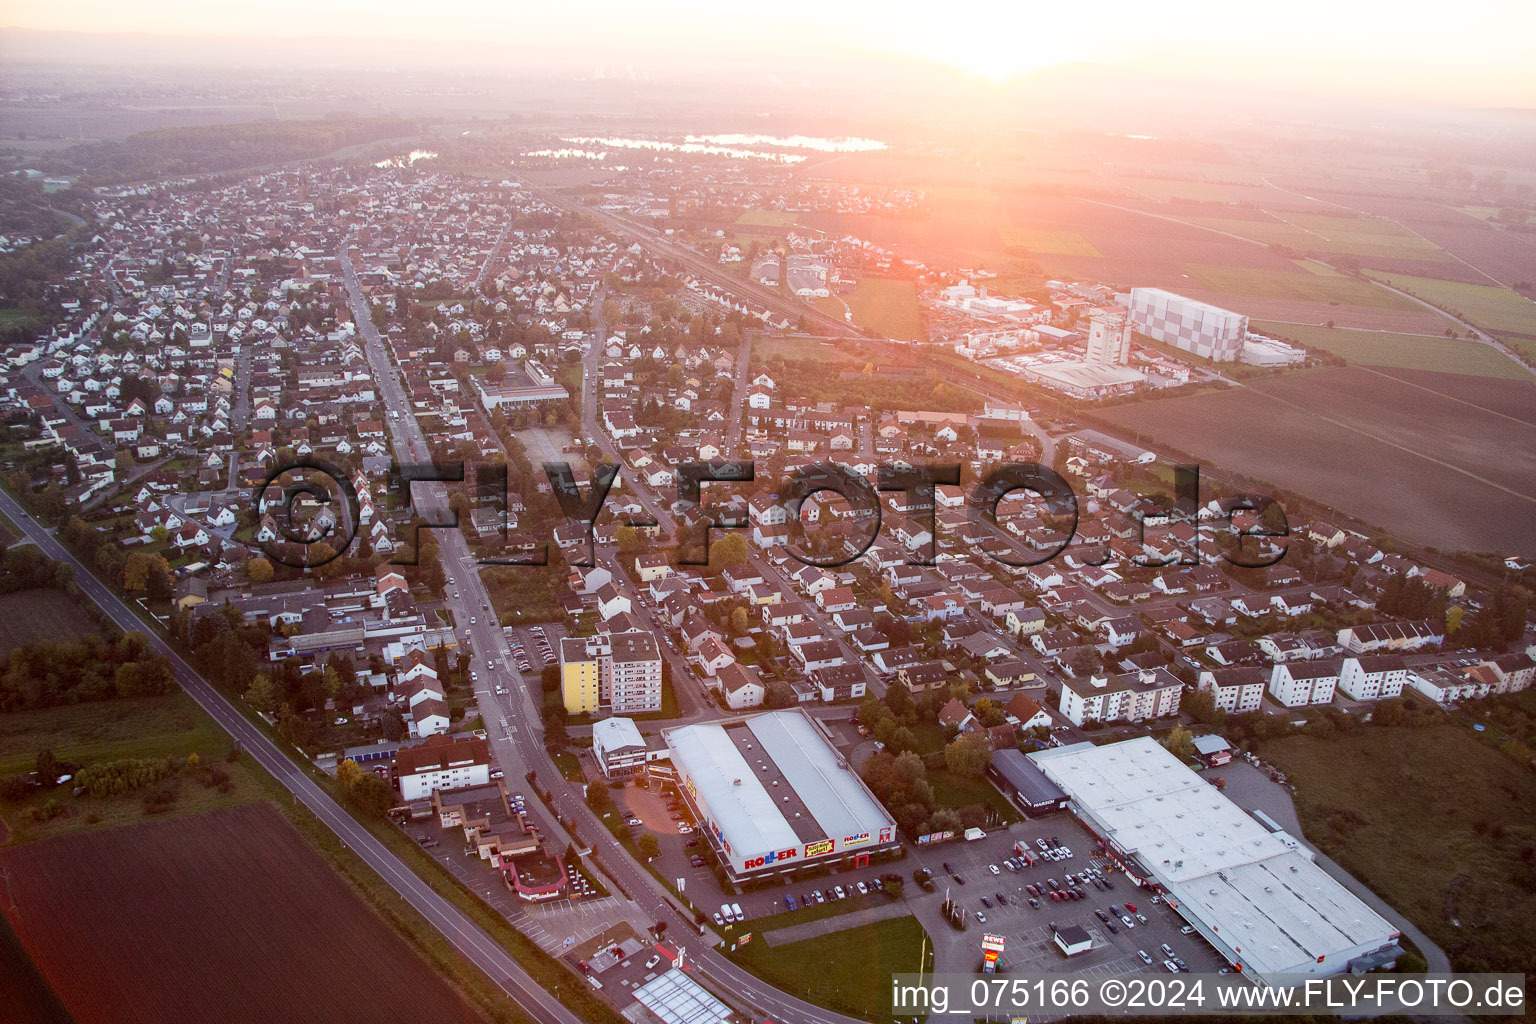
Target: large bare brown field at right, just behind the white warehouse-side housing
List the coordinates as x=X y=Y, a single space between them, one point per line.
x=1418 y=457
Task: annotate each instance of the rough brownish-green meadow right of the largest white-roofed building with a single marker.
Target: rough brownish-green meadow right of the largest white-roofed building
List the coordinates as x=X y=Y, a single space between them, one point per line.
x=1438 y=822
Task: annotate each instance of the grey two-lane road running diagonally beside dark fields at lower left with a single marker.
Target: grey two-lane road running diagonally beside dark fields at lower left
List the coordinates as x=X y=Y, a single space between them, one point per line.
x=468 y=937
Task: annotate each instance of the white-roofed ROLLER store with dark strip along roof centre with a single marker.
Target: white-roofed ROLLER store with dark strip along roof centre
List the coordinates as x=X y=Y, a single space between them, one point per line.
x=773 y=794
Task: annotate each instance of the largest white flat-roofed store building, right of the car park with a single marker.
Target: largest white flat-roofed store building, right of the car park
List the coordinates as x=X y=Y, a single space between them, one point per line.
x=1256 y=896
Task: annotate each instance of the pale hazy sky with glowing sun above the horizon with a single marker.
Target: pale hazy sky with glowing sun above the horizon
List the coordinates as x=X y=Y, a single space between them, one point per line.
x=1477 y=51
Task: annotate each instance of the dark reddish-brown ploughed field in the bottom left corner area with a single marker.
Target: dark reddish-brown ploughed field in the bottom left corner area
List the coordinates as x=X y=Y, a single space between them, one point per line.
x=191 y=920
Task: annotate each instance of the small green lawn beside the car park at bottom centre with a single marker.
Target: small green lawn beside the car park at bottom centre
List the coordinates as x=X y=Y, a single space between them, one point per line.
x=847 y=971
